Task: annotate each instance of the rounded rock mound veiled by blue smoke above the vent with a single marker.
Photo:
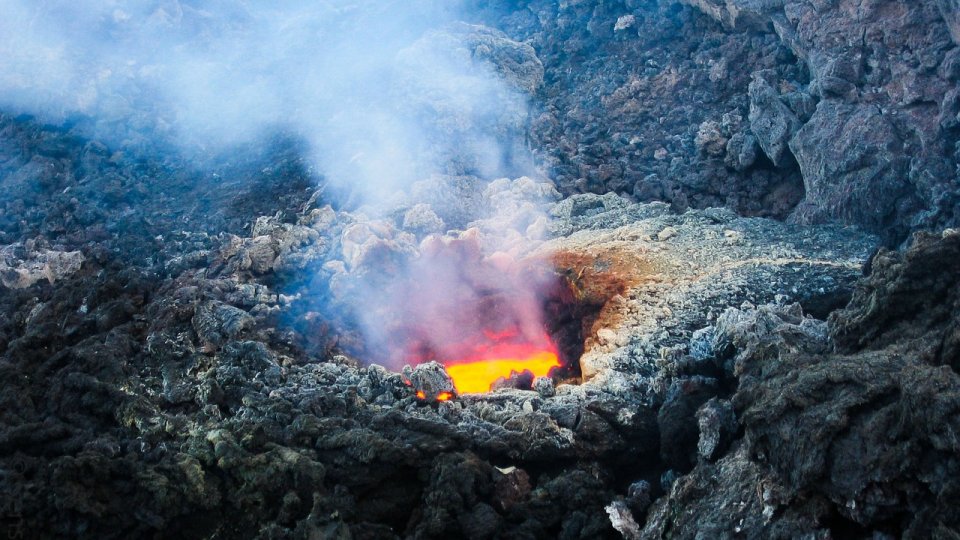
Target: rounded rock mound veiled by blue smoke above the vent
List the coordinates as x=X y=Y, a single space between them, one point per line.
x=444 y=78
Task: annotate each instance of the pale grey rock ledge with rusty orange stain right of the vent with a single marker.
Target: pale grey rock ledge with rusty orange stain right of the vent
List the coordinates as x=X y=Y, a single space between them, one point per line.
x=669 y=271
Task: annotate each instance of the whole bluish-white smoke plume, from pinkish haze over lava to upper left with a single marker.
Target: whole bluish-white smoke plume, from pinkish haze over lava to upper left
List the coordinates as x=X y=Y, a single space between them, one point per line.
x=383 y=93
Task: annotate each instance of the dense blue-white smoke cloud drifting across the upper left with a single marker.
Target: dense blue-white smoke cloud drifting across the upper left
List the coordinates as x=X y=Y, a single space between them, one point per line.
x=384 y=92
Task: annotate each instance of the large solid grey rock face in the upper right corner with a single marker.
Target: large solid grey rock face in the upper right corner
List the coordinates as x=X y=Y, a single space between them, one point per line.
x=871 y=154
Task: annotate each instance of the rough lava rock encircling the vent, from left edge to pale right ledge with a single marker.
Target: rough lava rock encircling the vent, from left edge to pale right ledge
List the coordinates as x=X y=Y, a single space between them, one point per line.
x=188 y=379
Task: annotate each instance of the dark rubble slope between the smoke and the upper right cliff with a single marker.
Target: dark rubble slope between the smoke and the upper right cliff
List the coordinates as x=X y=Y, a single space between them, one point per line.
x=631 y=90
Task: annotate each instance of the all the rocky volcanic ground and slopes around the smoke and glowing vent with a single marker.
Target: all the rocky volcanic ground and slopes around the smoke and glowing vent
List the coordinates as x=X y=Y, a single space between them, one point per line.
x=191 y=348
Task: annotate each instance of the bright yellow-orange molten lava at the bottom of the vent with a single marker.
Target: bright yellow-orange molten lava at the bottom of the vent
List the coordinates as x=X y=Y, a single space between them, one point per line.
x=478 y=373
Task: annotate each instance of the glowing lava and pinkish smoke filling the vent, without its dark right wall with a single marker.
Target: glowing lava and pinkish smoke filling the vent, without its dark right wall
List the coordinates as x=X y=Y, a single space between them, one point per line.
x=481 y=317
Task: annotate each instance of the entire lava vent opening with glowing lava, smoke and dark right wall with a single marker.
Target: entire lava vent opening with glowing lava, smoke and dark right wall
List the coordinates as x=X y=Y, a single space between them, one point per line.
x=491 y=321
